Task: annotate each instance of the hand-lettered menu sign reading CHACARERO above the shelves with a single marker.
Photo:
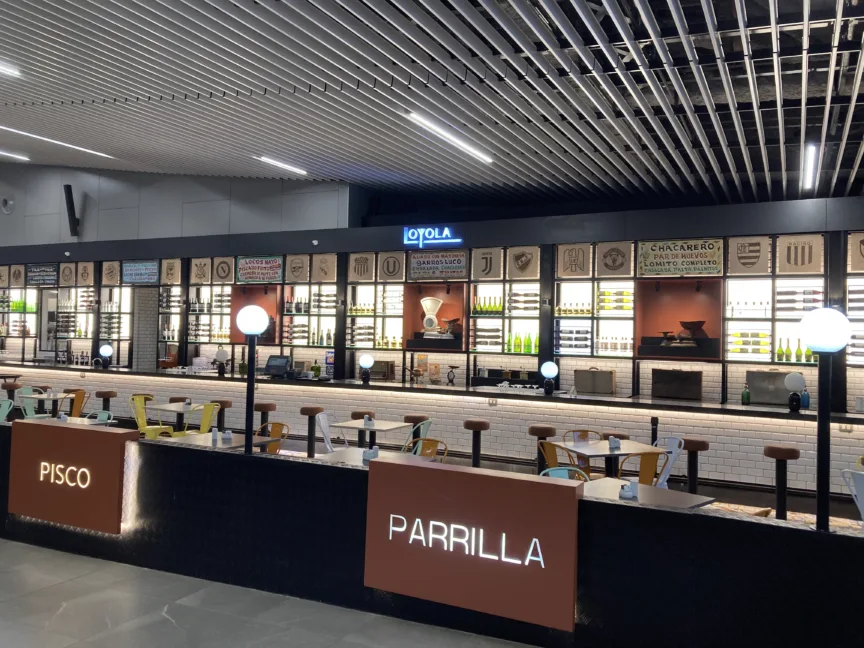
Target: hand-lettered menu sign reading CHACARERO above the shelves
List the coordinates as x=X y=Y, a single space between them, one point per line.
x=680 y=258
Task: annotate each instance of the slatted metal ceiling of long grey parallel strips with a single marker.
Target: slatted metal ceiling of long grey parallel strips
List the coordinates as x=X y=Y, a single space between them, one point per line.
x=707 y=100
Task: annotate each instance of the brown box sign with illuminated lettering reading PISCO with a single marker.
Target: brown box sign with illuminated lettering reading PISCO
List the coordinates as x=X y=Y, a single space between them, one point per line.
x=69 y=474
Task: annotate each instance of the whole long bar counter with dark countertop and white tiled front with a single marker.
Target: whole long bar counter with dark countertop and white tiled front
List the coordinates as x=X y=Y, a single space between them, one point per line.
x=736 y=433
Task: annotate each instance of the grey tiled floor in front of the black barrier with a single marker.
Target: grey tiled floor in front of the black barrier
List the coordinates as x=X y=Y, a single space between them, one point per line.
x=50 y=599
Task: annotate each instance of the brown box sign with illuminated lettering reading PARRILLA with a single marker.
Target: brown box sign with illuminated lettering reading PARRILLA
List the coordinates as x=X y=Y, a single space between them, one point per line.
x=476 y=539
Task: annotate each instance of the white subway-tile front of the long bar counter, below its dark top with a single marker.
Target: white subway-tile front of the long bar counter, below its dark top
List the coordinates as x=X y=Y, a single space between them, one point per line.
x=736 y=441
